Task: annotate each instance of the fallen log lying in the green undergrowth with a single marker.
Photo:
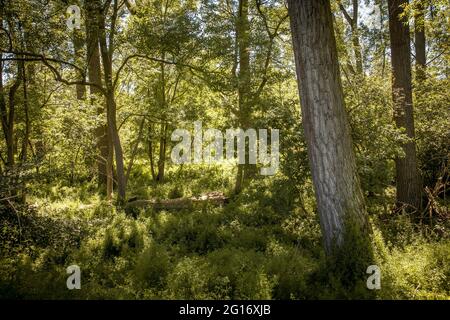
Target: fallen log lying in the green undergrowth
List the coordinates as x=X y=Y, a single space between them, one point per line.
x=213 y=198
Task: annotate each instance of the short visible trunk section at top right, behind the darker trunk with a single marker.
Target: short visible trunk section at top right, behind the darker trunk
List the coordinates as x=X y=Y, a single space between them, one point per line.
x=420 y=41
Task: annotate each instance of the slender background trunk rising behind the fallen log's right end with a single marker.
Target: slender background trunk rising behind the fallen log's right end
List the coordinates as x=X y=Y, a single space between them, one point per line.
x=243 y=42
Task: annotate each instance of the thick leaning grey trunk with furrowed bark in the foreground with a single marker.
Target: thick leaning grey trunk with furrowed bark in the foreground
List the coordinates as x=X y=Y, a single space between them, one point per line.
x=339 y=197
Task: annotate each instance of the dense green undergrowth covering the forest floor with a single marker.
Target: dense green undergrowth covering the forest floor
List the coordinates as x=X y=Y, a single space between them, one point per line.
x=264 y=244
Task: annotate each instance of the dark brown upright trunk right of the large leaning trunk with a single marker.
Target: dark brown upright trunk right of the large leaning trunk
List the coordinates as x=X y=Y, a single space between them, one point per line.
x=408 y=181
